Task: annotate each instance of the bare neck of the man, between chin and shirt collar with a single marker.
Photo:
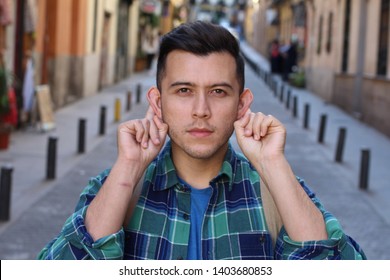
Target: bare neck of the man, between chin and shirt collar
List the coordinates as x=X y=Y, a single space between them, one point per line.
x=198 y=172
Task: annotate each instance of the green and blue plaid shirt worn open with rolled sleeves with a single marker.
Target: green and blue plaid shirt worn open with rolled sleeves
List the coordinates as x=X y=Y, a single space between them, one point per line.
x=234 y=225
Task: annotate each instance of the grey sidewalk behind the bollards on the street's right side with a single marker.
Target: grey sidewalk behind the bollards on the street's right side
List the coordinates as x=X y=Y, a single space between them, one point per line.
x=358 y=136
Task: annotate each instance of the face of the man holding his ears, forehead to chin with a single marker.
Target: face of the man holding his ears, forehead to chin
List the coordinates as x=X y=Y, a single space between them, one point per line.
x=200 y=101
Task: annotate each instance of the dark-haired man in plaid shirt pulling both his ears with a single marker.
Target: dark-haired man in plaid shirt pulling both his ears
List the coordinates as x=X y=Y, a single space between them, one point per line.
x=200 y=199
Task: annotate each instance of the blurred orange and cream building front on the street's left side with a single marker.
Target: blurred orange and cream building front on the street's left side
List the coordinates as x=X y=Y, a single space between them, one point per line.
x=77 y=46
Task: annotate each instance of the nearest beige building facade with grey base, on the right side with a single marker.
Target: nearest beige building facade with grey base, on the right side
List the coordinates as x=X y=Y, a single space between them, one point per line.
x=349 y=65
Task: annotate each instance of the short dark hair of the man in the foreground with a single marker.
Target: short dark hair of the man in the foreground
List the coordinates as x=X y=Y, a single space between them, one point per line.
x=200 y=38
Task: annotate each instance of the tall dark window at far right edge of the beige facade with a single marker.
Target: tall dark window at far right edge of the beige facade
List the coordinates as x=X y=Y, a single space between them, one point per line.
x=383 y=39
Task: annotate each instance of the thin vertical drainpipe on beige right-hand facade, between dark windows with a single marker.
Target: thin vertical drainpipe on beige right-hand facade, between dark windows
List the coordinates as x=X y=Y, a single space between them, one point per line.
x=358 y=85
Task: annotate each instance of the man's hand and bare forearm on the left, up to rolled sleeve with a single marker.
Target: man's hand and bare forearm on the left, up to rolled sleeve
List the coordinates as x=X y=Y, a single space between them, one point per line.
x=139 y=142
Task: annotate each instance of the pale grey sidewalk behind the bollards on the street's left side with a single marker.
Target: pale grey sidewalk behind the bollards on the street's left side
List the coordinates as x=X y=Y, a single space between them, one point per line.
x=27 y=153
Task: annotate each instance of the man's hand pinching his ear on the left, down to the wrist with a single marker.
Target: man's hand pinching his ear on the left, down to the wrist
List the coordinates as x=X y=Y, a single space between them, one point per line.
x=140 y=140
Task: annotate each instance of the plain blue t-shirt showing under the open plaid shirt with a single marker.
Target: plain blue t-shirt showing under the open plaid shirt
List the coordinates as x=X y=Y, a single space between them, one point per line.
x=199 y=201
